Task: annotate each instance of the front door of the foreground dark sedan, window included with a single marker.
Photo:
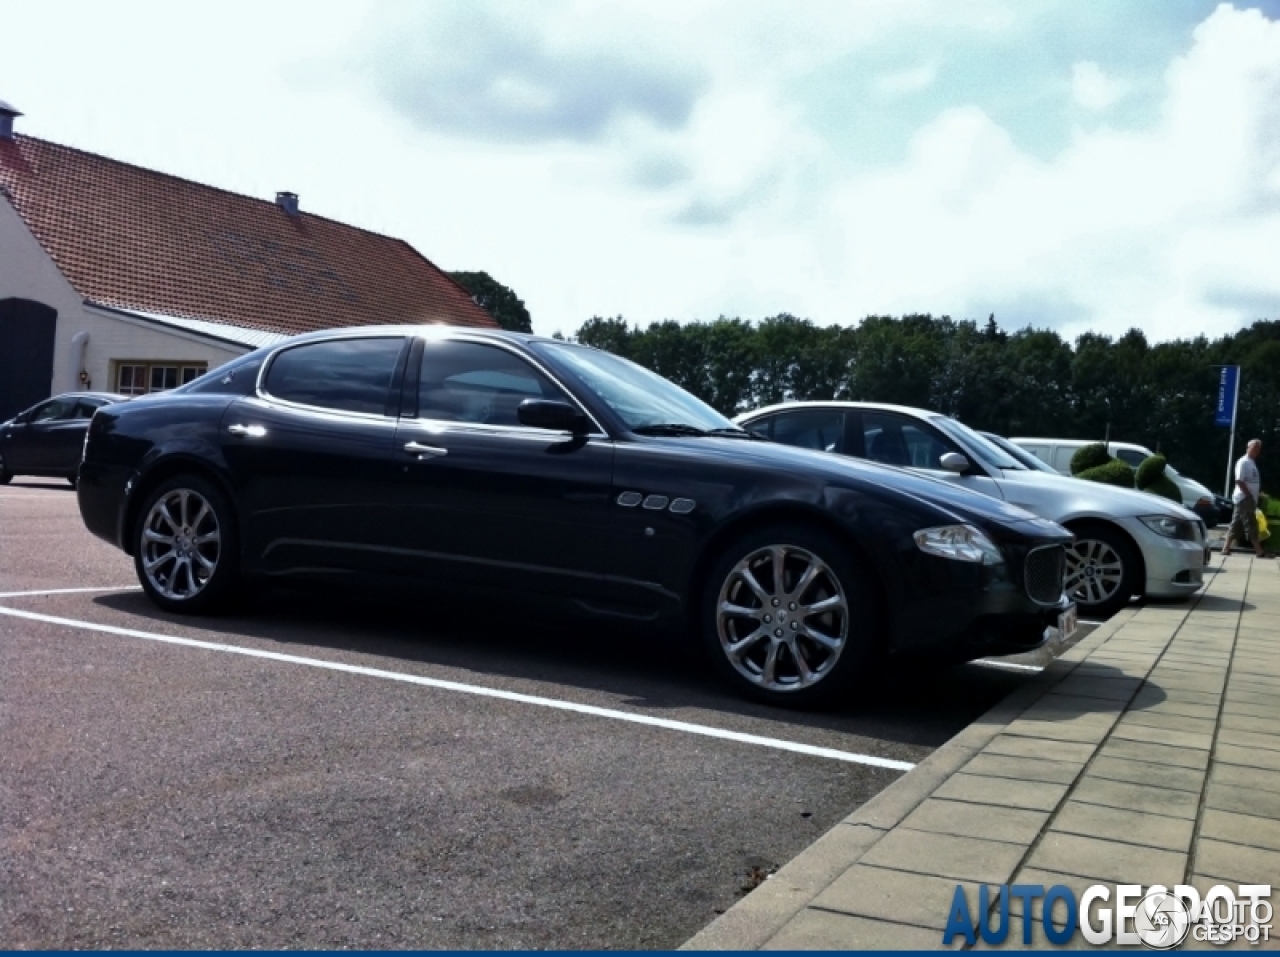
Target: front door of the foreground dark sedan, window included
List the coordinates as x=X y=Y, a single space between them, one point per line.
x=487 y=501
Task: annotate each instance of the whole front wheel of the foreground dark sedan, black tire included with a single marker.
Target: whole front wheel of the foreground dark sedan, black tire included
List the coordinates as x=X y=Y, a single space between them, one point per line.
x=772 y=625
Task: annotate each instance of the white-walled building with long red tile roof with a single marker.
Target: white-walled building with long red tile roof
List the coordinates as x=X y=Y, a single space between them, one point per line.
x=125 y=280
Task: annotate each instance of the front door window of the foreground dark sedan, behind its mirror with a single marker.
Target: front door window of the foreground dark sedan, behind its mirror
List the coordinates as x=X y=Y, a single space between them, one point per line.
x=463 y=382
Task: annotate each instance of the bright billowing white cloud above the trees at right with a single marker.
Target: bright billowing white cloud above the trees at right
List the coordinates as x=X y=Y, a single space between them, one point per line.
x=1167 y=230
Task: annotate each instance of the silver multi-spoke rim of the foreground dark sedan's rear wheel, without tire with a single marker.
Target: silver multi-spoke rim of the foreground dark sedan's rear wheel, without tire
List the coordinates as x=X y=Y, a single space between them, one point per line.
x=181 y=544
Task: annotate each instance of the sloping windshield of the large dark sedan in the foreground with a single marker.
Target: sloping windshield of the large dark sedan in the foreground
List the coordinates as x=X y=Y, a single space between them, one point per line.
x=641 y=399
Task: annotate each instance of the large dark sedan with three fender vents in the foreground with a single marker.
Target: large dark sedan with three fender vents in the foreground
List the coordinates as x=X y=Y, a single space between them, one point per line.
x=515 y=465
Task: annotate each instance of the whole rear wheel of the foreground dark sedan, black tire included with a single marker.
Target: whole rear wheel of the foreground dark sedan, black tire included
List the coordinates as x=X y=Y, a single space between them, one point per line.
x=186 y=550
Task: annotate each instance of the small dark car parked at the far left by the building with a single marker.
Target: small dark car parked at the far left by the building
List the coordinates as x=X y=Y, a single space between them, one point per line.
x=48 y=439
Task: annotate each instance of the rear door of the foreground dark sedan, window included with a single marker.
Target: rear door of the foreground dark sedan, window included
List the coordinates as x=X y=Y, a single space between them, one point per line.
x=313 y=456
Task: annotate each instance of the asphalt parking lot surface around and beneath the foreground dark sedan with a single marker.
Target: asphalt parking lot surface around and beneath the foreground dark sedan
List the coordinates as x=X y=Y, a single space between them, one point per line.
x=346 y=771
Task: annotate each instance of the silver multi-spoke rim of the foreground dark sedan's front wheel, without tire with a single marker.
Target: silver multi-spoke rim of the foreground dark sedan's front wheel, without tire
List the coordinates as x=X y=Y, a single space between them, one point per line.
x=783 y=619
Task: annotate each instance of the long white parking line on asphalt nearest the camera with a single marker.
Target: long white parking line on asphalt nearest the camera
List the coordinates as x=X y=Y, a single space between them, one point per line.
x=706 y=731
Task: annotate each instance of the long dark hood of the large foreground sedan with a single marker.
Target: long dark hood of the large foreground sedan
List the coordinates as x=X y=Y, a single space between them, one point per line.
x=842 y=471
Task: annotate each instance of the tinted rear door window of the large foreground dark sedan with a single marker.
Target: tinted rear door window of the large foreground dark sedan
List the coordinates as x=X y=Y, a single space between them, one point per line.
x=346 y=376
